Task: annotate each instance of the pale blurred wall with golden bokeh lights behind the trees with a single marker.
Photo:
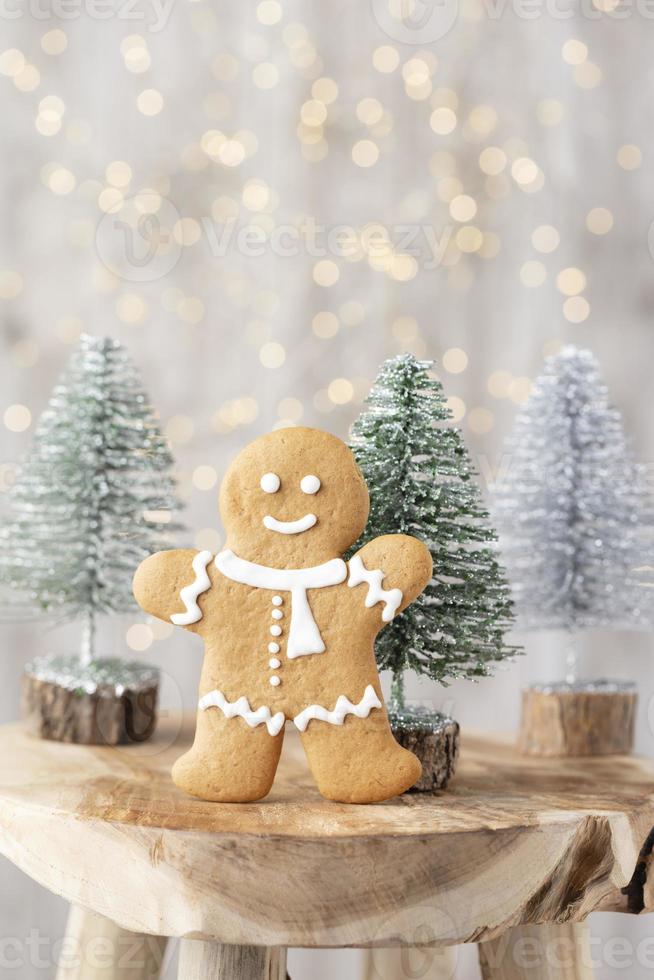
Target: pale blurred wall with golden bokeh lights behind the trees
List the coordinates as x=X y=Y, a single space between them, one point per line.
x=262 y=201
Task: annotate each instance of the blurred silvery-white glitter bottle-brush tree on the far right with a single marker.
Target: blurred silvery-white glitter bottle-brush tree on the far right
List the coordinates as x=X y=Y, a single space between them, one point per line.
x=574 y=508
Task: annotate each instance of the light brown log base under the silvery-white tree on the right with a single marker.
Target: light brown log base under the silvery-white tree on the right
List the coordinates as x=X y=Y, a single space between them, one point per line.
x=586 y=718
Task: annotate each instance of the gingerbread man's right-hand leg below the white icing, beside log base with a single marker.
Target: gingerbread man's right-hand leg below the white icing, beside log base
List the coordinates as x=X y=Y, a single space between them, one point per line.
x=359 y=761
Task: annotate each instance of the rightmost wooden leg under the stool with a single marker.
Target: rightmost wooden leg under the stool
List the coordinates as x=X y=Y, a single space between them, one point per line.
x=538 y=952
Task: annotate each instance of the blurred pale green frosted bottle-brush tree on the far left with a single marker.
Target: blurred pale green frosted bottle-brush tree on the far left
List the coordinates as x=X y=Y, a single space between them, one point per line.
x=92 y=499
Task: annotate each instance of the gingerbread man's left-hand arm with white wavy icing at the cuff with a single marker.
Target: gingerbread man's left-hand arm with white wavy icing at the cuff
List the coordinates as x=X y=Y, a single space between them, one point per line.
x=168 y=585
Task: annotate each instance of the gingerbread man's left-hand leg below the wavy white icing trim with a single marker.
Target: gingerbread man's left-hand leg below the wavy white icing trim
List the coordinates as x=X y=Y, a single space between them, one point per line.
x=229 y=762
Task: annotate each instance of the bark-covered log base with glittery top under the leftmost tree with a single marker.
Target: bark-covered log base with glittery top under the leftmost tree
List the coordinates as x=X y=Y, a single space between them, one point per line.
x=108 y=702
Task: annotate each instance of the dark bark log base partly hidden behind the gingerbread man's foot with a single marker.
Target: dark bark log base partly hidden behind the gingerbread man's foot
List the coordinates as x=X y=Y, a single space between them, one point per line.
x=434 y=738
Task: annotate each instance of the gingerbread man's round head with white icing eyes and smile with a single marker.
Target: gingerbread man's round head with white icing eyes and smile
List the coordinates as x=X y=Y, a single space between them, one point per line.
x=292 y=498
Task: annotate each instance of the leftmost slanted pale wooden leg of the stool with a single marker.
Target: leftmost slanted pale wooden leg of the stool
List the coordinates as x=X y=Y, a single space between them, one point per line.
x=97 y=949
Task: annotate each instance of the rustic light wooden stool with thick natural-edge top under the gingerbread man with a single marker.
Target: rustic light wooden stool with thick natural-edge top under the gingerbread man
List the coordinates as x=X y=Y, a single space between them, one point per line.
x=517 y=853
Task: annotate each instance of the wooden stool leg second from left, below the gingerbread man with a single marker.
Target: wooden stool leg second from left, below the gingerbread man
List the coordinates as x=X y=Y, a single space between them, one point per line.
x=213 y=961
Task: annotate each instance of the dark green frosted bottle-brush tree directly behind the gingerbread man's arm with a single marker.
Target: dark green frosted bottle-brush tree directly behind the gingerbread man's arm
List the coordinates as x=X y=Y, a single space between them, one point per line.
x=421 y=482
